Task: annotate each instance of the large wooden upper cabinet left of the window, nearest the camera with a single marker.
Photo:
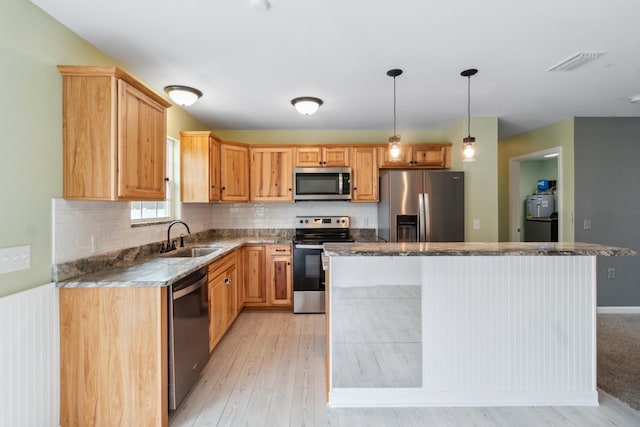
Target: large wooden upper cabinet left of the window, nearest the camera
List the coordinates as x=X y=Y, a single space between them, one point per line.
x=114 y=136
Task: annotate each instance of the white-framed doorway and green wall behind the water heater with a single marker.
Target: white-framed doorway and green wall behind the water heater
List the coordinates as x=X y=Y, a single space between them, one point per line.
x=521 y=170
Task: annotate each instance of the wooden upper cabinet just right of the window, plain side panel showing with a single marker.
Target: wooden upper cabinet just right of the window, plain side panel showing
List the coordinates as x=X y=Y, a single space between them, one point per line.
x=199 y=167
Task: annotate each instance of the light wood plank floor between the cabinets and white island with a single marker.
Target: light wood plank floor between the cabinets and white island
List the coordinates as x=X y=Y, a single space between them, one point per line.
x=269 y=371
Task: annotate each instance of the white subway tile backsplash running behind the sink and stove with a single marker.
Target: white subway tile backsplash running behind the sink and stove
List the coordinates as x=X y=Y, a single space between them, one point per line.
x=83 y=228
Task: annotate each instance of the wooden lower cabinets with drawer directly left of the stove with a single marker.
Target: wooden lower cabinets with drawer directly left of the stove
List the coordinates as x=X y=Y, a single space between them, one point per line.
x=268 y=276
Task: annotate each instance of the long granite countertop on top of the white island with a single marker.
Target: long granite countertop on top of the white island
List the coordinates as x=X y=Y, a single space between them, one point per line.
x=474 y=249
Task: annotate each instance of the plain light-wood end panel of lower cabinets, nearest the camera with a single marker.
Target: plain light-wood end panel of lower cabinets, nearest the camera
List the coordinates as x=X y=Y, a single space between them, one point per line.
x=113 y=356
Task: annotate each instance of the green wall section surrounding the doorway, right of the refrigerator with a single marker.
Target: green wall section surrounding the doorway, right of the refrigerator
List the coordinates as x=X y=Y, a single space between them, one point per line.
x=560 y=134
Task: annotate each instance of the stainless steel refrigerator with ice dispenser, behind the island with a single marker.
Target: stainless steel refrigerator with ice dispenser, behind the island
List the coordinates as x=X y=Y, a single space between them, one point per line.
x=421 y=206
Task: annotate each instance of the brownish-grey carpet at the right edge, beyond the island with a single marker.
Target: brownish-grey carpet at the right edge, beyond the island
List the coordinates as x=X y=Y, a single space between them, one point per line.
x=619 y=356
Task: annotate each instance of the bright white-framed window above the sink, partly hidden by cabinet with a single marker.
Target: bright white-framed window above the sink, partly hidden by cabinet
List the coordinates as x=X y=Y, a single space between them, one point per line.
x=149 y=212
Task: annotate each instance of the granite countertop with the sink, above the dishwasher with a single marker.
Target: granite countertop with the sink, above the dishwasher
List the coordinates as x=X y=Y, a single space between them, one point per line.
x=159 y=270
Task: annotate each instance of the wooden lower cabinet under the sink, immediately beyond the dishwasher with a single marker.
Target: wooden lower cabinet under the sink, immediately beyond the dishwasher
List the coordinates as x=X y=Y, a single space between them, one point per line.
x=223 y=284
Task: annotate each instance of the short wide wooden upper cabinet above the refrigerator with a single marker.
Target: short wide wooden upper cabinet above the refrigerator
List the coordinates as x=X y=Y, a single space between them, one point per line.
x=428 y=156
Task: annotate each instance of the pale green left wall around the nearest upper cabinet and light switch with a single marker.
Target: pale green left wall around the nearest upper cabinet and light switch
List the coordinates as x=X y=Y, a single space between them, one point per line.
x=32 y=44
